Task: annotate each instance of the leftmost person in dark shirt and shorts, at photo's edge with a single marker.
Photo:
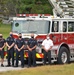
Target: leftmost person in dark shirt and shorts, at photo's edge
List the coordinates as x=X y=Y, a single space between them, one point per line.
x=2 y=45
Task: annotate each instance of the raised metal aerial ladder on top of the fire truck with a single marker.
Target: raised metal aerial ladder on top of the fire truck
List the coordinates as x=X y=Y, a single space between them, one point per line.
x=63 y=8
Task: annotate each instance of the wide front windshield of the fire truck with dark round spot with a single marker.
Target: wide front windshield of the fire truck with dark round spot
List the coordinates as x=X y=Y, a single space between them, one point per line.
x=31 y=26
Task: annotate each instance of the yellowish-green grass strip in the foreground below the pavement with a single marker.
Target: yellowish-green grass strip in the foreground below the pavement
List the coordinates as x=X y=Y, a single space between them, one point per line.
x=67 y=69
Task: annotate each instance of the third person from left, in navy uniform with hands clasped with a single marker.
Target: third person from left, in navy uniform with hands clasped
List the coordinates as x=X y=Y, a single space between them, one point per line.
x=20 y=50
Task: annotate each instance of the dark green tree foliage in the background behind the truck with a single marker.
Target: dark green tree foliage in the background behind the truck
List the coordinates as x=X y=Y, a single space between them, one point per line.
x=12 y=7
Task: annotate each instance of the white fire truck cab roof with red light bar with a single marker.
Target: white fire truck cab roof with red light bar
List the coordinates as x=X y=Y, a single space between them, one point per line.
x=38 y=17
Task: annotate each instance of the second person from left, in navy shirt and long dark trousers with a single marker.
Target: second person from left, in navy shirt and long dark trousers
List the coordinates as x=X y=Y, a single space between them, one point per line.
x=10 y=49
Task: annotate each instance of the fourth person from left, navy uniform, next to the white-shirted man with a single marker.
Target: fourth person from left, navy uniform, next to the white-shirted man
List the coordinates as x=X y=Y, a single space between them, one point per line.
x=31 y=45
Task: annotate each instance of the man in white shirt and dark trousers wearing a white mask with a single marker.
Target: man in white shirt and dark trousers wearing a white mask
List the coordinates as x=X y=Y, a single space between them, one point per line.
x=47 y=44
